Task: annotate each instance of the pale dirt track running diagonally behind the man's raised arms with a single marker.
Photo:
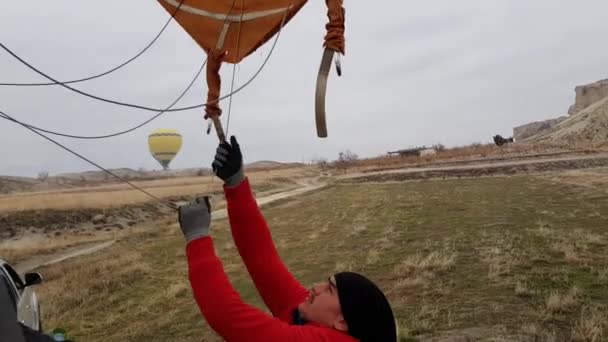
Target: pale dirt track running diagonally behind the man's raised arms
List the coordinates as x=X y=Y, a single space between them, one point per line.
x=90 y=248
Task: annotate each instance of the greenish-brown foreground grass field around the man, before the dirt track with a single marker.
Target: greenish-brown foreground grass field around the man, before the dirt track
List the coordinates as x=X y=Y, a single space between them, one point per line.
x=521 y=258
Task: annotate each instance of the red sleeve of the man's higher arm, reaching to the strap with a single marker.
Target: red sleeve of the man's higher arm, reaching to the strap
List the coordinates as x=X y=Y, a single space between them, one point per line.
x=276 y=285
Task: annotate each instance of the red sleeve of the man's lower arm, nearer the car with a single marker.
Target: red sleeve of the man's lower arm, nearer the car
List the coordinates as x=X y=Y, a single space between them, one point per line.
x=234 y=320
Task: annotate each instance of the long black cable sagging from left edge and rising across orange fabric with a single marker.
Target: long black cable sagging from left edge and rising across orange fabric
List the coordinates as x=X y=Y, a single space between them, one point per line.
x=144 y=107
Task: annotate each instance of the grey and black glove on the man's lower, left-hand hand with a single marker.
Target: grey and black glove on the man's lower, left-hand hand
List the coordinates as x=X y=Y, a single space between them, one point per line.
x=195 y=218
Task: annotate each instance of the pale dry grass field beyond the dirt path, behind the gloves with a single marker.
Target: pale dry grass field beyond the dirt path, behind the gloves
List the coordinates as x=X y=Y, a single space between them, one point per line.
x=37 y=224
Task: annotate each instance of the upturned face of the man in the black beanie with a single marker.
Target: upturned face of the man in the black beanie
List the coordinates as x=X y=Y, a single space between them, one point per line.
x=322 y=306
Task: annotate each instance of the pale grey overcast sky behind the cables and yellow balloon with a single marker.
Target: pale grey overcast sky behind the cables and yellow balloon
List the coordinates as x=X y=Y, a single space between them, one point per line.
x=415 y=73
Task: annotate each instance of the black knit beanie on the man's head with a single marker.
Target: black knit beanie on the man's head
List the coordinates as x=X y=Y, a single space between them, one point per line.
x=365 y=309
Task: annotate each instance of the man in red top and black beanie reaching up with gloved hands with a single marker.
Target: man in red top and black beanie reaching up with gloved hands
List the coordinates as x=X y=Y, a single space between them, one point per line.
x=347 y=307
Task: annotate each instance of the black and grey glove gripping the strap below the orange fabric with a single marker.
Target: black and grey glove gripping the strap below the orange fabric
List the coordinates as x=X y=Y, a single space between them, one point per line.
x=228 y=163
